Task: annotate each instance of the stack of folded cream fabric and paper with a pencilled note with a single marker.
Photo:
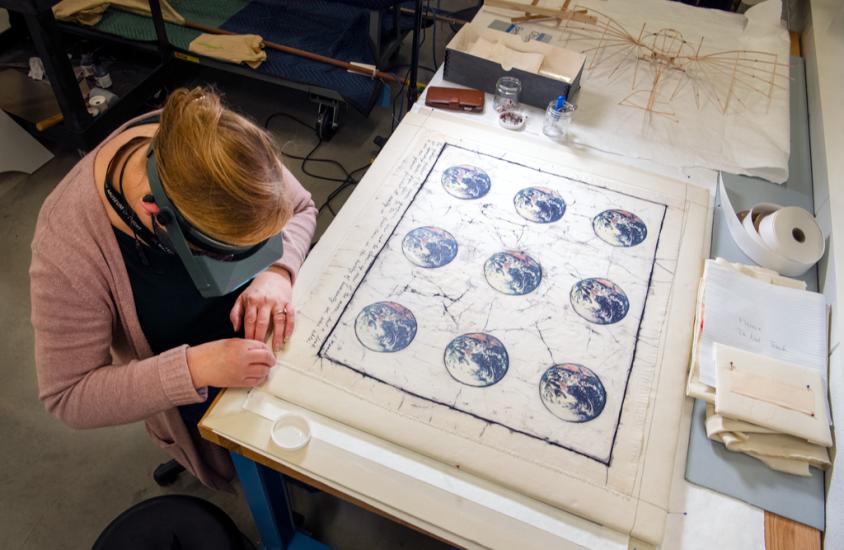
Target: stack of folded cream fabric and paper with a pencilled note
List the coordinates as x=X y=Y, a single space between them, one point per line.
x=759 y=360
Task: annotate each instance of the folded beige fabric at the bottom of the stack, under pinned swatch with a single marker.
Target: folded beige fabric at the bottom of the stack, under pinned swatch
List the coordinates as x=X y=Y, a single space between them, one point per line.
x=780 y=452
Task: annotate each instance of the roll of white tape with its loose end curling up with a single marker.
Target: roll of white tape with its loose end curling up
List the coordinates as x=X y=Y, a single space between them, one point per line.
x=785 y=239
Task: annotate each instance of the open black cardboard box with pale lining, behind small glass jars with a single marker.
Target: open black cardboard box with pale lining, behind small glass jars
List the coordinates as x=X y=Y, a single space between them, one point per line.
x=538 y=89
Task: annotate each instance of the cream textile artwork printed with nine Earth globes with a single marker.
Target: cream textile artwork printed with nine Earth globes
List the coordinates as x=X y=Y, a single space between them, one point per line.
x=504 y=307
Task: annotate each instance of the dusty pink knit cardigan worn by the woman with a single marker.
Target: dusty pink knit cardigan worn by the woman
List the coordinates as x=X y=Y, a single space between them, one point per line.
x=95 y=367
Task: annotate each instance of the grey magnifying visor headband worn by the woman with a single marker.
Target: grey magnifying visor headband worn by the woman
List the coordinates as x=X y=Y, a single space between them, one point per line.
x=216 y=268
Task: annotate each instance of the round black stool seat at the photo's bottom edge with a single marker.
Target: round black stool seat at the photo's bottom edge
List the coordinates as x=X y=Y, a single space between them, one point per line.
x=173 y=522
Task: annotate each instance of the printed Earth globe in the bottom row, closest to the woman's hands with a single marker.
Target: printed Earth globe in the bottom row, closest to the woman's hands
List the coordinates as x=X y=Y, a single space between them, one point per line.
x=385 y=327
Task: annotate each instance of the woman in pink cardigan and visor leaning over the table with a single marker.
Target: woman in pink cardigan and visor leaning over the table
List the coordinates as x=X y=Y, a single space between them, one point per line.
x=122 y=331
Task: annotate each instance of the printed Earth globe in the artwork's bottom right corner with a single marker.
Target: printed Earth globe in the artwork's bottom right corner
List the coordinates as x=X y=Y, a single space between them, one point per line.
x=572 y=393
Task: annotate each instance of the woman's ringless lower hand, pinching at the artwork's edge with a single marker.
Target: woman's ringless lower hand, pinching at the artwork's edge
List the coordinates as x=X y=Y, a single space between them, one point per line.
x=231 y=363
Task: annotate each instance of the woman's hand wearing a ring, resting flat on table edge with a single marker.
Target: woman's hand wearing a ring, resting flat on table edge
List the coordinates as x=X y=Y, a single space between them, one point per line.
x=265 y=306
